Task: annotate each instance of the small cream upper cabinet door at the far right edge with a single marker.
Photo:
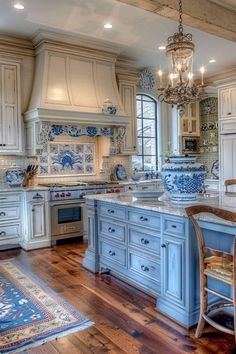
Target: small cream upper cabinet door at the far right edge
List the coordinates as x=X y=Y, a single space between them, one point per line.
x=227 y=100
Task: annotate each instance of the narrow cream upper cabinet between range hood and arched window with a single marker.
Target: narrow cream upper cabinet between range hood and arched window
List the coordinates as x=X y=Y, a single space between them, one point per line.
x=127 y=88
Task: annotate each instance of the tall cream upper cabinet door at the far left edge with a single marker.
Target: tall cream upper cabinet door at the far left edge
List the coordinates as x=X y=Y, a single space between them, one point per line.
x=10 y=113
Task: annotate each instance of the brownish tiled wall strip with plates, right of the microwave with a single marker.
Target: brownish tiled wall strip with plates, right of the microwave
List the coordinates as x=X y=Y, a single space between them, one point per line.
x=209 y=135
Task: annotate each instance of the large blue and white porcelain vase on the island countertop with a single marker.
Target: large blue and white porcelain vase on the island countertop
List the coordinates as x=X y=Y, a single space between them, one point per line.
x=183 y=178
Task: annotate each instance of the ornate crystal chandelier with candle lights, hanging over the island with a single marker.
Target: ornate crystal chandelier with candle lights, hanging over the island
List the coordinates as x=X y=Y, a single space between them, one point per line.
x=181 y=89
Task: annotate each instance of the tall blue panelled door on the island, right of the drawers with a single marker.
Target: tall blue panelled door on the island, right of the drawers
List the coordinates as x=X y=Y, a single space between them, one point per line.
x=173 y=269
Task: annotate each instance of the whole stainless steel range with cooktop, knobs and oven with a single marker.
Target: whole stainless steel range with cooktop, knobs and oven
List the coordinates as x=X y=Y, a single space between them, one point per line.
x=67 y=205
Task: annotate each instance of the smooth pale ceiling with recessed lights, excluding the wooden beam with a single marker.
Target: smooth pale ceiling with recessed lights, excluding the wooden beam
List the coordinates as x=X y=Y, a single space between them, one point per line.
x=136 y=32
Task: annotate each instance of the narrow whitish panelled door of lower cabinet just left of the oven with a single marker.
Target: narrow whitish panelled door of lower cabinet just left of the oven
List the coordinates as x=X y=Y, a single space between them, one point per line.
x=38 y=222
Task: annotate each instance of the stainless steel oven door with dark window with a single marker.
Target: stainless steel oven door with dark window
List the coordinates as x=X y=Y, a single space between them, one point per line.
x=66 y=219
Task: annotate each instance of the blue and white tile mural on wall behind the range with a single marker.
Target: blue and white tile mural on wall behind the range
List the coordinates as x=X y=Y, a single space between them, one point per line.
x=67 y=159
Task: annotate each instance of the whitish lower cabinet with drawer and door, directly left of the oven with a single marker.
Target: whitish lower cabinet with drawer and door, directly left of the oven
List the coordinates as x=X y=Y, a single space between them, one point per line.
x=36 y=223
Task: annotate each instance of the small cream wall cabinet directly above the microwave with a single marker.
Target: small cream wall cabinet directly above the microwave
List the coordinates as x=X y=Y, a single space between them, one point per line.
x=190 y=120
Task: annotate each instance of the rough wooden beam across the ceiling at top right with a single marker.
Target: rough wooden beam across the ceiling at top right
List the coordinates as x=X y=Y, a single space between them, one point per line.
x=204 y=15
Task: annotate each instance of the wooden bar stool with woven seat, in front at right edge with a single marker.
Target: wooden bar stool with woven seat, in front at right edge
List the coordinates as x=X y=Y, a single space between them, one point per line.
x=216 y=264
